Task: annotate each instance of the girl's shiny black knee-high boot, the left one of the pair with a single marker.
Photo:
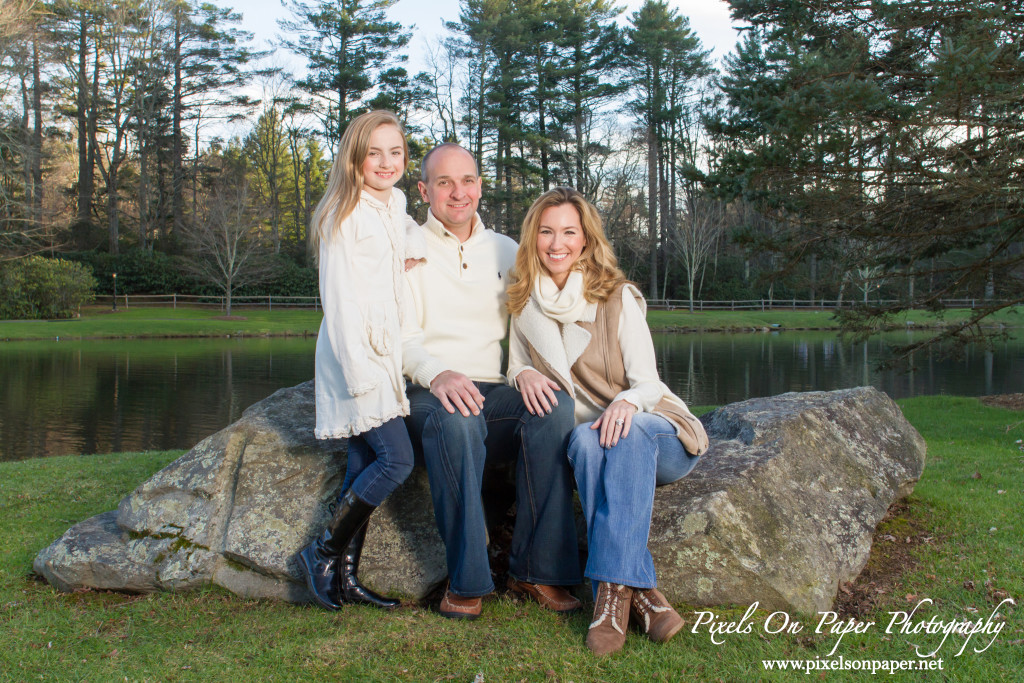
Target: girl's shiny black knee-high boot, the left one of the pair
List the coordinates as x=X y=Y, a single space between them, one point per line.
x=321 y=561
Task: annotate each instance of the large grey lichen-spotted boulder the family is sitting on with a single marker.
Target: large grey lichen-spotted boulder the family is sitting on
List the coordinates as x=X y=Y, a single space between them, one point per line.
x=780 y=510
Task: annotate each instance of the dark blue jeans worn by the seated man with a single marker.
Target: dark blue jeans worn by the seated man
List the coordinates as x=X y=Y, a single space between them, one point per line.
x=456 y=449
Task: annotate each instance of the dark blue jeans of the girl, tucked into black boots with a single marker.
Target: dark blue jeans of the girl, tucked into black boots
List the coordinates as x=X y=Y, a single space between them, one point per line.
x=379 y=460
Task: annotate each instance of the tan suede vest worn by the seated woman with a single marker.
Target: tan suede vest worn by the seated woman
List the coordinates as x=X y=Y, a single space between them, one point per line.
x=601 y=373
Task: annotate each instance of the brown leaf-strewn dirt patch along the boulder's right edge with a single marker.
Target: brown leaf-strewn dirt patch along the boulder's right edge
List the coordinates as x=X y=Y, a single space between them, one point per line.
x=903 y=530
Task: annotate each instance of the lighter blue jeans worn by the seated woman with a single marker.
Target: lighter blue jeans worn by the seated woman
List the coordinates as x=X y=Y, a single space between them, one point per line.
x=617 y=491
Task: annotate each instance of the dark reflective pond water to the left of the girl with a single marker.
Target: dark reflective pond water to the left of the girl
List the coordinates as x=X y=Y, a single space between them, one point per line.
x=135 y=396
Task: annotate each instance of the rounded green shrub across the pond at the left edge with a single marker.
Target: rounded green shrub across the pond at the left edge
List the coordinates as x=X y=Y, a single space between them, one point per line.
x=38 y=287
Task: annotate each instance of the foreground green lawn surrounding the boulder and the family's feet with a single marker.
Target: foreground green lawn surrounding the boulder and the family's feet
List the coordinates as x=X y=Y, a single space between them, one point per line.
x=964 y=519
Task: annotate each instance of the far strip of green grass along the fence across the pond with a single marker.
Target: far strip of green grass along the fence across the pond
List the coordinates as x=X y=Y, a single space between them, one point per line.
x=144 y=323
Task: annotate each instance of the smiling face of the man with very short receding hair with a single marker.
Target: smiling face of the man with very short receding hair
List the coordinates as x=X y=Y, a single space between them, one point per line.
x=453 y=189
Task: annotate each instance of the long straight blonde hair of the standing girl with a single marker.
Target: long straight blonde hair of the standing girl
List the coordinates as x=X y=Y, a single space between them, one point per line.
x=346 y=182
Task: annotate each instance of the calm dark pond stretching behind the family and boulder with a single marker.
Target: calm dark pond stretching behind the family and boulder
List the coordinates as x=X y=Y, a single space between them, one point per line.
x=104 y=397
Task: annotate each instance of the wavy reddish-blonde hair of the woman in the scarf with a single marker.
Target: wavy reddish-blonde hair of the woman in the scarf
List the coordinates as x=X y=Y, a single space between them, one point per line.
x=598 y=262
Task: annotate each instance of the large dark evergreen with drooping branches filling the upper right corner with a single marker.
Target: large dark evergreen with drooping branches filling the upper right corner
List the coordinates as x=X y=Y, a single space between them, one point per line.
x=887 y=140
